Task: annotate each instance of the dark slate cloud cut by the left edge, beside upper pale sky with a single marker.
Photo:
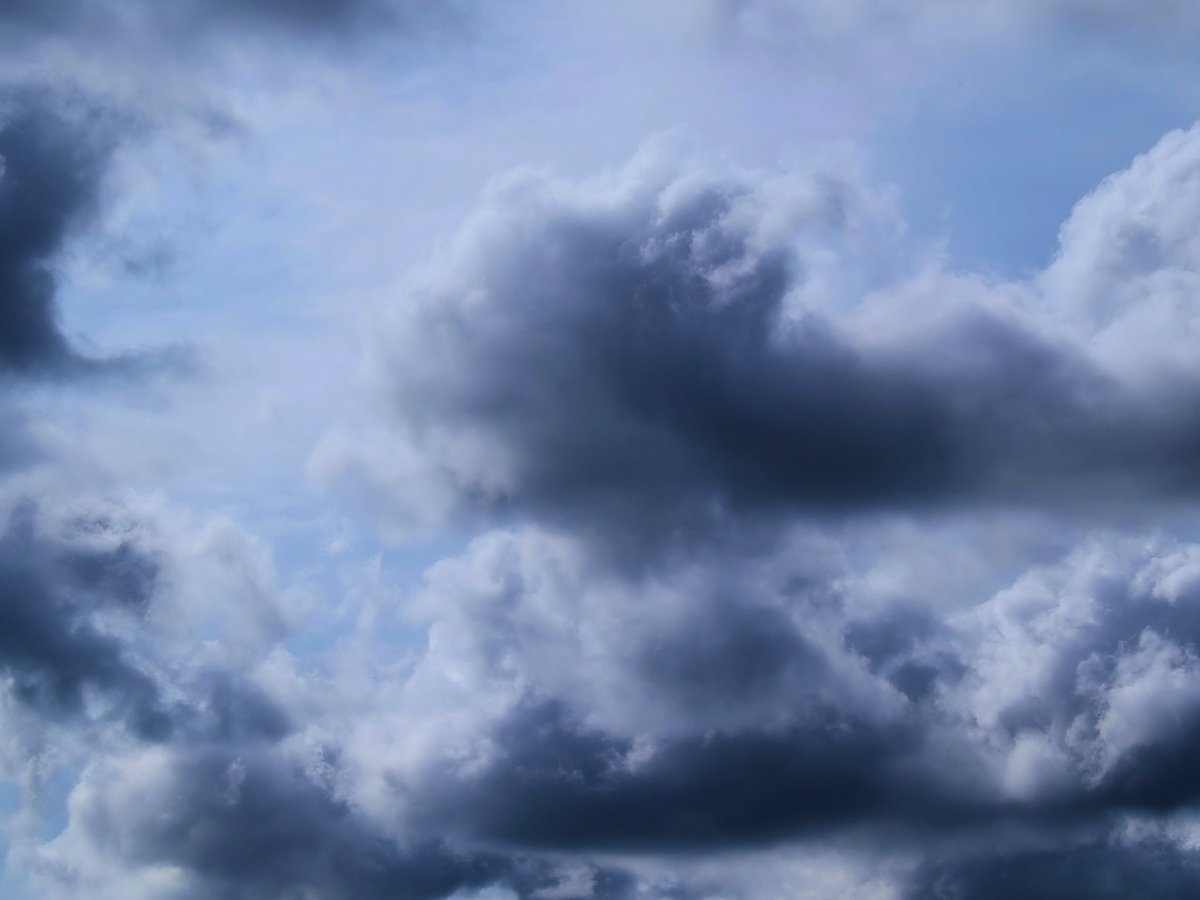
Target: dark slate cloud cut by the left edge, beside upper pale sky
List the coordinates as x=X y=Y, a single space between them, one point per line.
x=55 y=157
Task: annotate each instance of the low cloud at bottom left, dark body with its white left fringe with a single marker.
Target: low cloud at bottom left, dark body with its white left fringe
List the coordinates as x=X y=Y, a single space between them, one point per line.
x=241 y=824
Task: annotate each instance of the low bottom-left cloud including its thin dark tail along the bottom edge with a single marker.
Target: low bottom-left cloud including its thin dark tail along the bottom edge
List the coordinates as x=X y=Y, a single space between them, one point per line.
x=247 y=823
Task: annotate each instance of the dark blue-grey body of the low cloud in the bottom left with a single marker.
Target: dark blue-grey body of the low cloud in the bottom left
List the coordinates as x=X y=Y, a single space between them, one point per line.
x=249 y=824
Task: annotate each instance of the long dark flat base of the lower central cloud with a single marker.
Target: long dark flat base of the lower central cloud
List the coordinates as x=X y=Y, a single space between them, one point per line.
x=562 y=785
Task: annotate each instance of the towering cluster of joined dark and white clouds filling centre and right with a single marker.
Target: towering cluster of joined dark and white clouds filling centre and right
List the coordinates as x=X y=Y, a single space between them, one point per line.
x=670 y=369
